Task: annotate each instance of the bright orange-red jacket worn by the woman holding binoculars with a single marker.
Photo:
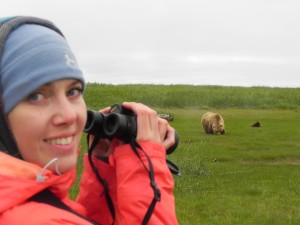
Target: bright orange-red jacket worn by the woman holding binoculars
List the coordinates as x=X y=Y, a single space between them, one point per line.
x=128 y=184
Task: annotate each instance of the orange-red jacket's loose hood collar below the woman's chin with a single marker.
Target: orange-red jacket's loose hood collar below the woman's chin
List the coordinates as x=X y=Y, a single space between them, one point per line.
x=18 y=181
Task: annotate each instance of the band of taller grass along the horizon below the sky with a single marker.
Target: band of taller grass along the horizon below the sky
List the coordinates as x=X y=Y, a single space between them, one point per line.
x=200 y=97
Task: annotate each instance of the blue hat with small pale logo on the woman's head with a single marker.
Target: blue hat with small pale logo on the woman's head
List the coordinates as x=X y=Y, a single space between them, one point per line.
x=34 y=55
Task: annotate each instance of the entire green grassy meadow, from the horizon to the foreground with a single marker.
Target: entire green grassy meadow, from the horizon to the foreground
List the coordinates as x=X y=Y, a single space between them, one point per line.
x=247 y=176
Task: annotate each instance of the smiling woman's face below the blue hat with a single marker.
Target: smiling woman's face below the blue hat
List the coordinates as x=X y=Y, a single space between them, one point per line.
x=49 y=124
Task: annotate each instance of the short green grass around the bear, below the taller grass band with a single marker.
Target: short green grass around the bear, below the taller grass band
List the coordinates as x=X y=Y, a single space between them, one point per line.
x=247 y=176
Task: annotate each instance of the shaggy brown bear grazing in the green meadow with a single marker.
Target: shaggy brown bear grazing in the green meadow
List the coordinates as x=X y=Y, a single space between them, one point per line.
x=213 y=123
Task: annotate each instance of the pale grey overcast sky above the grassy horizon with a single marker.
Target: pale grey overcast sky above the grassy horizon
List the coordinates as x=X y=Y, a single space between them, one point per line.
x=222 y=42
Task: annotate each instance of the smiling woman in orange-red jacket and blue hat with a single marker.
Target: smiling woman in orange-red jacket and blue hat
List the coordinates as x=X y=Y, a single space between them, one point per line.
x=43 y=116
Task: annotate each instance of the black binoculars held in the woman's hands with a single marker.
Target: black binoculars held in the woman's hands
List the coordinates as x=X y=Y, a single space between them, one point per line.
x=118 y=123
